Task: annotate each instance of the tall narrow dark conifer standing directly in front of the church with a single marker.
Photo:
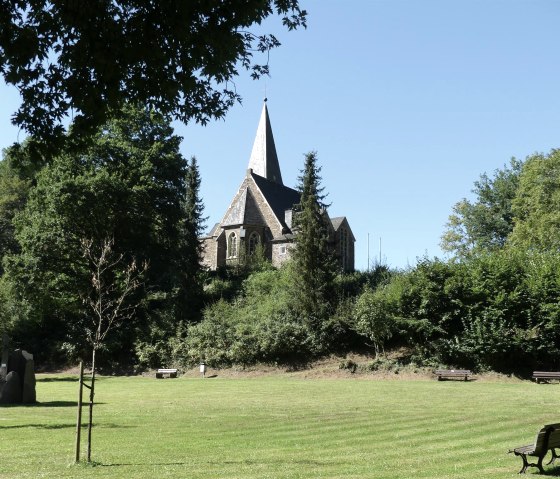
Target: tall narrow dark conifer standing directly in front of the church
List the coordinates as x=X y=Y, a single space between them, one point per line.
x=314 y=265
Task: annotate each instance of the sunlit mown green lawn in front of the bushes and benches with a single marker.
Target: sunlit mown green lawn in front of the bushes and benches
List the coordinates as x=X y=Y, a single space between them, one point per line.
x=278 y=427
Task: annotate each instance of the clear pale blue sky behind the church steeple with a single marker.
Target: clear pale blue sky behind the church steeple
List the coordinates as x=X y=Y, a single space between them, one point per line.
x=406 y=102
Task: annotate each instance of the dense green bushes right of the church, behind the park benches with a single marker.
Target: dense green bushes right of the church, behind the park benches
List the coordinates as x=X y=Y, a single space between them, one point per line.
x=496 y=311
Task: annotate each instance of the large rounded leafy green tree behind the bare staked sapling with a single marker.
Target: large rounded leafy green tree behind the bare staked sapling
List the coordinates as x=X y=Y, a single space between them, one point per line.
x=128 y=185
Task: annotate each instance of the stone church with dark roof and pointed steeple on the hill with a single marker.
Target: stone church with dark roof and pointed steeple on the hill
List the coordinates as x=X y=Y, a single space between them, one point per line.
x=261 y=213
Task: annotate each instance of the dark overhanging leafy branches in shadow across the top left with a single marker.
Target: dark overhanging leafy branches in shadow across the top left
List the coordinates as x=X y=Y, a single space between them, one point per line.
x=178 y=57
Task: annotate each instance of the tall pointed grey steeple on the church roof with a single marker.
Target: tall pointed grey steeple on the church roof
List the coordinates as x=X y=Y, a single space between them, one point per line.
x=264 y=160
